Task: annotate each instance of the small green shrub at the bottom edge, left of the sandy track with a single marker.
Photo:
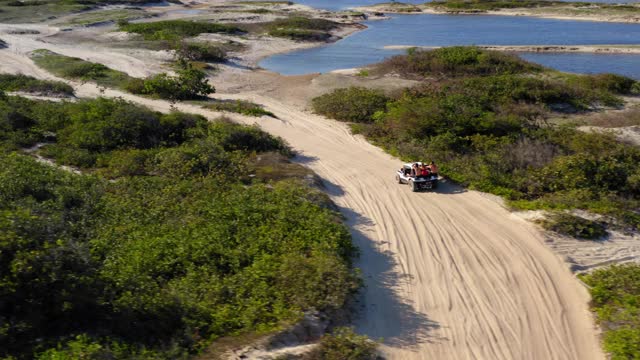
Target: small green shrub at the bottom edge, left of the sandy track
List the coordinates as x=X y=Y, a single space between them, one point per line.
x=344 y=344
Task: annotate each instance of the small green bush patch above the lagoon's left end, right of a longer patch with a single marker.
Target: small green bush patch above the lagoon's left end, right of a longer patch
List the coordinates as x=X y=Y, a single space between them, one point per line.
x=301 y=28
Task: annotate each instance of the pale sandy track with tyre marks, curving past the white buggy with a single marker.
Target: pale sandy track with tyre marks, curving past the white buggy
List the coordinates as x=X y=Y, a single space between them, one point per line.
x=448 y=274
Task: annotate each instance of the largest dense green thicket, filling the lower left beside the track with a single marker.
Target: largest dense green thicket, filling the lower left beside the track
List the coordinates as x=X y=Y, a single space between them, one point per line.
x=184 y=247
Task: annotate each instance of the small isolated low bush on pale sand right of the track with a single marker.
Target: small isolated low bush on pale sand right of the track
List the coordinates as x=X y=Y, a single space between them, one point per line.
x=574 y=226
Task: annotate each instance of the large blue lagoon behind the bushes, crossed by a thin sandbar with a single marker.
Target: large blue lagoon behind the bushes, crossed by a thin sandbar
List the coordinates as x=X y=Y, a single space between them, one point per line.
x=367 y=46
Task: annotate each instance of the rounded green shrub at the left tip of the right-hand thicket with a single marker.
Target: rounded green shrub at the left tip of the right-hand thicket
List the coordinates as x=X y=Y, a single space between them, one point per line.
x=353 y=104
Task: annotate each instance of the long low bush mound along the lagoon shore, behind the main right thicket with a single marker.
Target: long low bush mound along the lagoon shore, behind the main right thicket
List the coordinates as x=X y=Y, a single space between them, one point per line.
x=456 y=61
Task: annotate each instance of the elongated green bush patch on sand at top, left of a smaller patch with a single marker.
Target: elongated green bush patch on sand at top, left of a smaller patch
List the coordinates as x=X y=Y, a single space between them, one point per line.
x=176 y=29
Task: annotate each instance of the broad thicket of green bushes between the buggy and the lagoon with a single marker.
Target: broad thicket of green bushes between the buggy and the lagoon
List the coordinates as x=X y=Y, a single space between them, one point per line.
x=487 y=127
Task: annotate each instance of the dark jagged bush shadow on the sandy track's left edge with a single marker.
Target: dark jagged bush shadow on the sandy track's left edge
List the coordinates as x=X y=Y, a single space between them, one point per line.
x=381 y=313
